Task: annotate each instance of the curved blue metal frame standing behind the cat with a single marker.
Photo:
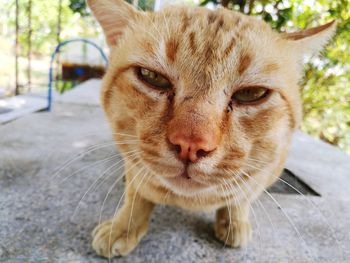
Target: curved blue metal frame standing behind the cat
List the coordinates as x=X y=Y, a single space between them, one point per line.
x=57 y=49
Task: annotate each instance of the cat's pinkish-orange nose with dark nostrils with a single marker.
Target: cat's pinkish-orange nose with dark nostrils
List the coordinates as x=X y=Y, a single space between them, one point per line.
x=191 y=147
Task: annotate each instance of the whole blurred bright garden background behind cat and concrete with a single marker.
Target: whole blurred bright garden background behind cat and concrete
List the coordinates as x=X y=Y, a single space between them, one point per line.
x=31 y=30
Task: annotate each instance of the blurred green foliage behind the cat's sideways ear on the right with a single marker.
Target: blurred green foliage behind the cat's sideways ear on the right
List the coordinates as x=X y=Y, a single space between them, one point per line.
x=326 y=85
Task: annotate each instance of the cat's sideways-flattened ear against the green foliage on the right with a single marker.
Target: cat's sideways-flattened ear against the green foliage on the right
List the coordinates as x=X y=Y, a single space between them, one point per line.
x=312 y=40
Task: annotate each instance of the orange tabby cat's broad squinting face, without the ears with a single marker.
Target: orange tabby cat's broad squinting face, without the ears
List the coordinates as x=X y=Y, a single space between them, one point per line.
x=207 y=93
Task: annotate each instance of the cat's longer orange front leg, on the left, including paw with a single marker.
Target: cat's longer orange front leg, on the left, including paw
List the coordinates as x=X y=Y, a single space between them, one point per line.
x=120 y=235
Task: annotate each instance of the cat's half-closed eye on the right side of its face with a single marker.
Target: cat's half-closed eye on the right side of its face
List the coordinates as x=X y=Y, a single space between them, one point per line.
x=250 y=95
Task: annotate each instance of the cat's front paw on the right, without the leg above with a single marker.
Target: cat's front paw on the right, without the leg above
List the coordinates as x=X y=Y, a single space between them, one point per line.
x=236 y=234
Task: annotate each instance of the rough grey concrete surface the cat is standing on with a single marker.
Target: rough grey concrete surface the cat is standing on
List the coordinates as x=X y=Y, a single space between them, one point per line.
x=45 y=215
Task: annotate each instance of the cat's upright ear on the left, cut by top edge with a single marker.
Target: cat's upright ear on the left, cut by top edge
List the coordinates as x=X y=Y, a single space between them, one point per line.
x=113 y=16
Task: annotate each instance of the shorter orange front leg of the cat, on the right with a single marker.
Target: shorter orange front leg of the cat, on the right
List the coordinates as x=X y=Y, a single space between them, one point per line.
x=232 y=225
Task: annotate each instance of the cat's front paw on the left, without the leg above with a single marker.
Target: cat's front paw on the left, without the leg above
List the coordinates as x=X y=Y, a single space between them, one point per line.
x=113 y=238
